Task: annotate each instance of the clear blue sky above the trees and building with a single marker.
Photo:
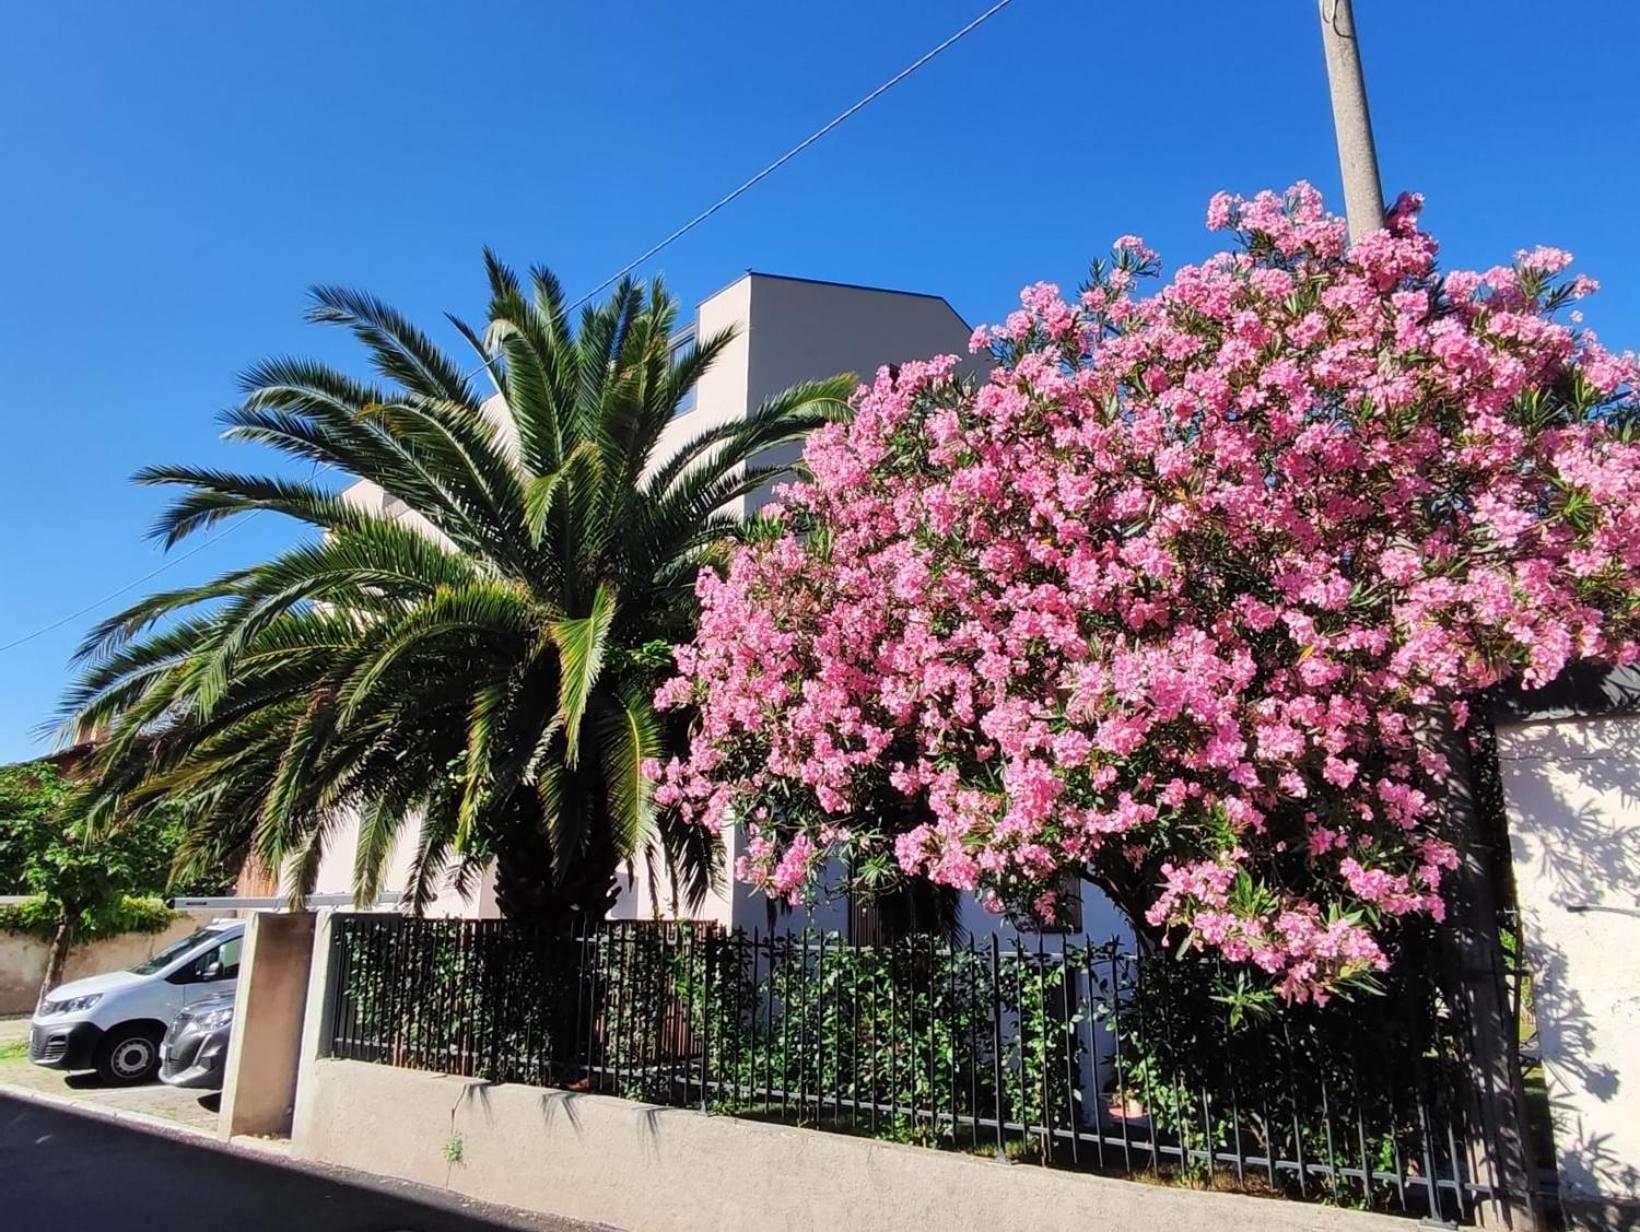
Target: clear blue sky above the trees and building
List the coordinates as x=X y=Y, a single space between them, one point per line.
x=178 y=176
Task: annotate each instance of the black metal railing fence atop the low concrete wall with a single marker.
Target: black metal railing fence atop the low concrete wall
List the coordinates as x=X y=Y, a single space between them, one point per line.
x=1064 y=1054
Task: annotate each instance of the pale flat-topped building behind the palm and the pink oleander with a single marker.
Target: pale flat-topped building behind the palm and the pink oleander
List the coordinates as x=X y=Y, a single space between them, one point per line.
x=788 y=331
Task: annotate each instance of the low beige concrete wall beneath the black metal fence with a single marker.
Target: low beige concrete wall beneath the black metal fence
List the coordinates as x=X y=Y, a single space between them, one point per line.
x=673 y=1170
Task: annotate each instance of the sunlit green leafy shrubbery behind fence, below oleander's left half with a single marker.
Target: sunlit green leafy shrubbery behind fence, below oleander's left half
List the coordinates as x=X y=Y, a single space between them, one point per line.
x=904 y=1029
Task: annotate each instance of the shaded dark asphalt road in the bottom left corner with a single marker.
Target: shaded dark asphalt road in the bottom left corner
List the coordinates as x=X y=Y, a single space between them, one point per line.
x=65 y=1172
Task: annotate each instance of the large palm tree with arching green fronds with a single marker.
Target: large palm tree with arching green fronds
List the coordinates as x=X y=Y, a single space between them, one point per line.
x=470 y=659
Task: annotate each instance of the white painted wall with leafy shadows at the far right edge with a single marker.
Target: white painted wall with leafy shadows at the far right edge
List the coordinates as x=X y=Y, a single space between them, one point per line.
x=1574 y=796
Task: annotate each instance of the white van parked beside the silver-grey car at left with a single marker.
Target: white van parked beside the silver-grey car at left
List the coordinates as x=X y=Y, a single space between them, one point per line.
x=114 y=1023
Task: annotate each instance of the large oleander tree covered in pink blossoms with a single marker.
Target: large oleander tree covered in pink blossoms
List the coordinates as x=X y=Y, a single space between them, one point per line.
x=1164 y=600
